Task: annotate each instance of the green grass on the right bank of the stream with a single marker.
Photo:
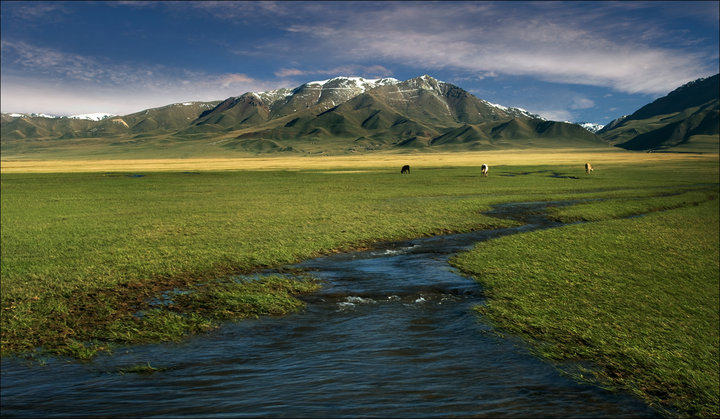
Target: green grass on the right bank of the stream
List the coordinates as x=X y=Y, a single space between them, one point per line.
x=636 y=296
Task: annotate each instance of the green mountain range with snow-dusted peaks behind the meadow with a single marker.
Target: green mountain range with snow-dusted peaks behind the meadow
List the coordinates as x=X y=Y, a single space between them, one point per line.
x=353 y=114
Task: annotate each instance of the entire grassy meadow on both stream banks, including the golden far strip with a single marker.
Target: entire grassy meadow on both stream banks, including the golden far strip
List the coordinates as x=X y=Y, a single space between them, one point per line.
x=87 y=246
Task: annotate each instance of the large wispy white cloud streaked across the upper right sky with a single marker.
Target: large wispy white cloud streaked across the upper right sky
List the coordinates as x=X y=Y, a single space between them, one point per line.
x=530 y=41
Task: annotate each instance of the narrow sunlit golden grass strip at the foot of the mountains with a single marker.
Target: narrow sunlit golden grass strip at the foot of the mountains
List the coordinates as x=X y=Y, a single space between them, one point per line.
x=389 y=161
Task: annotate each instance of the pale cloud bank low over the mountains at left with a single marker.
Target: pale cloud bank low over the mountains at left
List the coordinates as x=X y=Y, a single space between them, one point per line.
x=70 y=83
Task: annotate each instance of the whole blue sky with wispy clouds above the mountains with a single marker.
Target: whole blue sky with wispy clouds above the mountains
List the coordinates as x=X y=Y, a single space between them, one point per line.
x=575 y=61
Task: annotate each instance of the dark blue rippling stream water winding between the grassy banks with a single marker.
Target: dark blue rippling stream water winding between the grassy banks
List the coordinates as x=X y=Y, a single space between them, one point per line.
x=391 y=334
